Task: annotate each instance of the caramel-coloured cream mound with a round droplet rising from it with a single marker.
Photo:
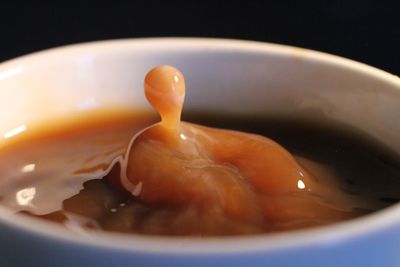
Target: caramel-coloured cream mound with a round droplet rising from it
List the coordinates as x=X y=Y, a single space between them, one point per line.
x=245 y=177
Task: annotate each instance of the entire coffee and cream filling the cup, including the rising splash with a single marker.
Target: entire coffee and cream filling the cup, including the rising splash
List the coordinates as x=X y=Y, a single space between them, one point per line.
x=179 y=178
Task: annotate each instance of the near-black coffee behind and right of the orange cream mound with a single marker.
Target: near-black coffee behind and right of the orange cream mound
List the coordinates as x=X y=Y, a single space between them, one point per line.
x=362 y=165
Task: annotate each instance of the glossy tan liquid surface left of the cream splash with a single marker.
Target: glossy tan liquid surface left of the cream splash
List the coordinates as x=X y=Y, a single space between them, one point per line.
x=41 y=167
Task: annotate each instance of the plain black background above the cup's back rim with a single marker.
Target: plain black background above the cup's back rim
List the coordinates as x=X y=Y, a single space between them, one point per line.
x=367 y=31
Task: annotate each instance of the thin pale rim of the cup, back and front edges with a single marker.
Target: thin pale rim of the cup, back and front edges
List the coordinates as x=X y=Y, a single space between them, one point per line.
x=343 y=231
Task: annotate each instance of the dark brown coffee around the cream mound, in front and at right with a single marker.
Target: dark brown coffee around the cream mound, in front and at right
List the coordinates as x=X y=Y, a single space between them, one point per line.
x=363 y=169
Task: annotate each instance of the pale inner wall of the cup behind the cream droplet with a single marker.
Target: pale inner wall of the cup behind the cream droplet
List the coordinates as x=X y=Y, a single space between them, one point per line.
x=222 y=76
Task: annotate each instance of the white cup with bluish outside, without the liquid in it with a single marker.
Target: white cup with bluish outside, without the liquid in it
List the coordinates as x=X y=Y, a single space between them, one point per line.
x=223 y=76
